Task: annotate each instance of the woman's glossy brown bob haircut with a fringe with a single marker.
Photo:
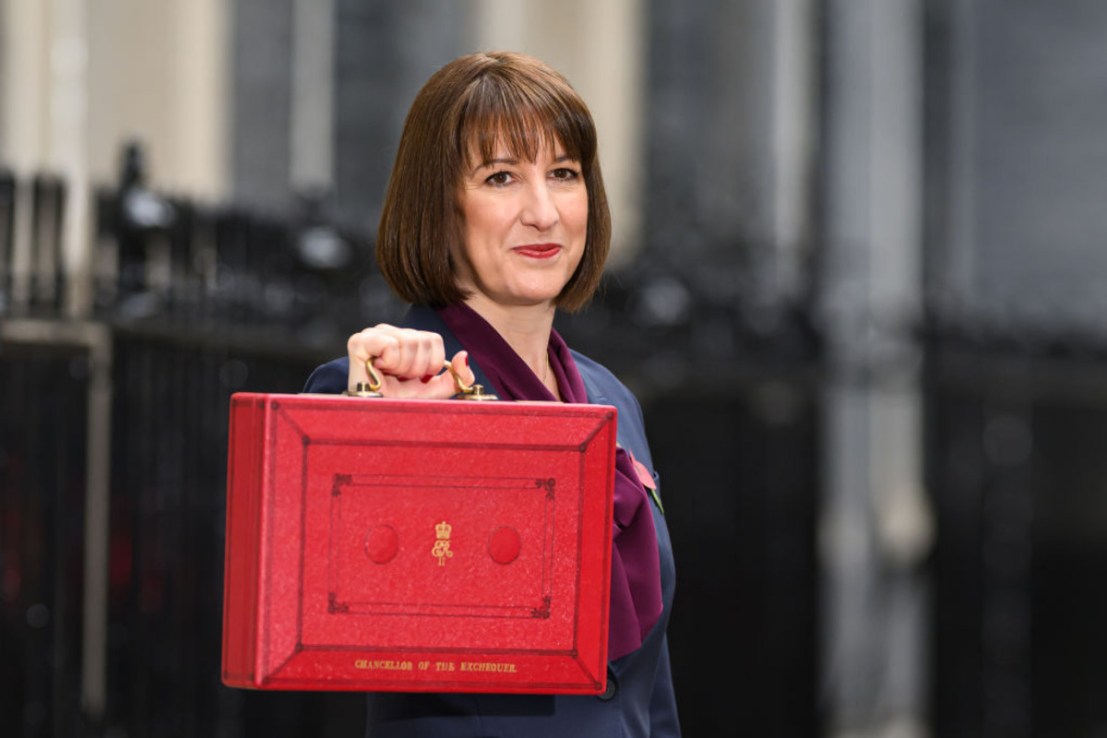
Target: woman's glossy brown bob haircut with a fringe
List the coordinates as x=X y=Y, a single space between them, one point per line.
x=465 y=108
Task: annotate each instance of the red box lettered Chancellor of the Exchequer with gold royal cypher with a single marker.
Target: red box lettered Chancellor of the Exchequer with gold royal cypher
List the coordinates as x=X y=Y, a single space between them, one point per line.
x=418 y=546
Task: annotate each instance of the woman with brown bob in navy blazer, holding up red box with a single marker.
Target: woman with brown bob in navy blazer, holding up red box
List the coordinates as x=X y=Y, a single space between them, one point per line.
x=494 y=220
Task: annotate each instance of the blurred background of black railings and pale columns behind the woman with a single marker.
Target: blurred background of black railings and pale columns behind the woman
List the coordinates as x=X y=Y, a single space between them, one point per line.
x=858 y=287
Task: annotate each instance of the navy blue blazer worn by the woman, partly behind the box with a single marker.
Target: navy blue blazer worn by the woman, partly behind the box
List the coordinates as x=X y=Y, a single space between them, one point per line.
x=639 y=703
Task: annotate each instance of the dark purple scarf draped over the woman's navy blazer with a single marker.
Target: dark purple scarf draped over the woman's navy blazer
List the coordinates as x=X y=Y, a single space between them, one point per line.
x=636 y=573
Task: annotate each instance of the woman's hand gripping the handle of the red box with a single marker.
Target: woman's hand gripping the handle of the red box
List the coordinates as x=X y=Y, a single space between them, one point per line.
x=409 y=362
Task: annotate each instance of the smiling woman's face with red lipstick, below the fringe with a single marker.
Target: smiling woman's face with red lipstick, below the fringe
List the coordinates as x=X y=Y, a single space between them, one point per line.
x=525 y=226
